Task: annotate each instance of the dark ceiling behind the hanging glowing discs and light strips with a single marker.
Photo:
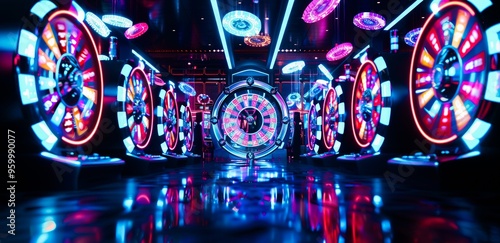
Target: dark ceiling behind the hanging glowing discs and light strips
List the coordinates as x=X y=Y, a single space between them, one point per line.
x=184 y=34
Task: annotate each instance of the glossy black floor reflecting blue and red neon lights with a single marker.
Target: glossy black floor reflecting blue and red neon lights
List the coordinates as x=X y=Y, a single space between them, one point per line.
x=264 y=201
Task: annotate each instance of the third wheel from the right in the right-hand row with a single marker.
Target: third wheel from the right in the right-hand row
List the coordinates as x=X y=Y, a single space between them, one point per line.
x=333 y=118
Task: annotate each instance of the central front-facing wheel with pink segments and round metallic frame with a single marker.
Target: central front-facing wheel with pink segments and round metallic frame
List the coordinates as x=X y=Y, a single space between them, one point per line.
x=250 y=119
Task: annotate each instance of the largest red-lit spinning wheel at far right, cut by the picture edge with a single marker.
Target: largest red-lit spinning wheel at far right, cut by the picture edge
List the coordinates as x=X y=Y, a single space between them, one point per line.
x=451 y=81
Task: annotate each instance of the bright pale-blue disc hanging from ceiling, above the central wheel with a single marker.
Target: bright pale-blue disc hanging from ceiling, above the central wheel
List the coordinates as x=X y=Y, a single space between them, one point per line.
x=241 y=23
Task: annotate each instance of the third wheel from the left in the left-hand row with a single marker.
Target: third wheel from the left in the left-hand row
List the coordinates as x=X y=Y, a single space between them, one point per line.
x=168 y=121
